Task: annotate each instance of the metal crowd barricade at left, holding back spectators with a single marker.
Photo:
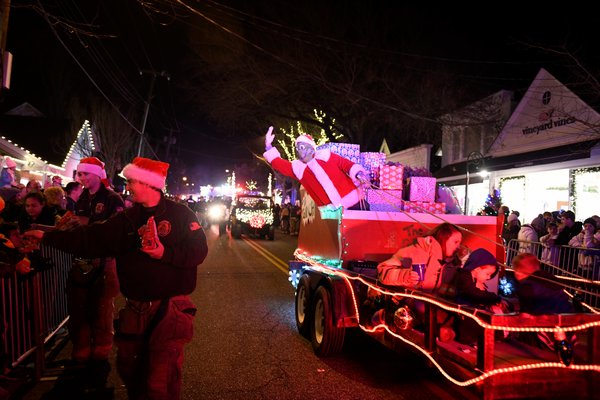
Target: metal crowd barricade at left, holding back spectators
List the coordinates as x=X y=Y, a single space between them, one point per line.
x=34 y=306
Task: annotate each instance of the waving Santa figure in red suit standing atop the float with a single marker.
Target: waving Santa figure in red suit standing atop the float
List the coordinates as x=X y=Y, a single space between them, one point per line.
x=331 y=180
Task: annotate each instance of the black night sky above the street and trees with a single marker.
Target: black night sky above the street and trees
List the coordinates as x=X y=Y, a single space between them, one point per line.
x=489 y=47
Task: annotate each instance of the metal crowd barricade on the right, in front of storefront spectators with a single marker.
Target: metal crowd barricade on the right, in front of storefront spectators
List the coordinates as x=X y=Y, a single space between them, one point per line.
x=577 y=268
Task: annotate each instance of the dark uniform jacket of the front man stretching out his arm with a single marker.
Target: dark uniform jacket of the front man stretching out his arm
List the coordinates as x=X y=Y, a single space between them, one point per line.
x=141 y=277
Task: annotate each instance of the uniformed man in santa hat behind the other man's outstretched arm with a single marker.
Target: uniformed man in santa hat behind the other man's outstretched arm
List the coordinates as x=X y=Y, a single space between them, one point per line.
x=92 y=284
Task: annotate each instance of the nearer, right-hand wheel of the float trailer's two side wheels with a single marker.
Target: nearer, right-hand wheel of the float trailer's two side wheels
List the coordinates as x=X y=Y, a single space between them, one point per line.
x=326 y=338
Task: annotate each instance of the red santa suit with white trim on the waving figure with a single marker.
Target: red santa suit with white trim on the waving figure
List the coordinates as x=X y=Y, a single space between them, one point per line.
x=327 y=177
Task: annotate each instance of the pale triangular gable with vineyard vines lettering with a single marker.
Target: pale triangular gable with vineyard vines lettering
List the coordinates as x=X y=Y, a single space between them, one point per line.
x=549 y=115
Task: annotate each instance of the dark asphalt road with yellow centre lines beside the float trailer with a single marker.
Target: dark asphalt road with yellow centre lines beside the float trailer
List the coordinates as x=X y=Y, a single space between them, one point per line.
x=246 y=345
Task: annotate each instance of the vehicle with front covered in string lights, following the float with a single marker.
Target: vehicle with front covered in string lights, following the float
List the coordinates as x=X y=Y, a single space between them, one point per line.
x=252 y=215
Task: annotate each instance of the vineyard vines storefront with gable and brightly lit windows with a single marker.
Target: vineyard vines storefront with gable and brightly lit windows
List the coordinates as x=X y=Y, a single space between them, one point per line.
x=546 y=157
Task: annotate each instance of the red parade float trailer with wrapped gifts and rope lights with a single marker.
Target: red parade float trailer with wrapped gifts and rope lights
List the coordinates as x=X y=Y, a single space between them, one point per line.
x=334 y=272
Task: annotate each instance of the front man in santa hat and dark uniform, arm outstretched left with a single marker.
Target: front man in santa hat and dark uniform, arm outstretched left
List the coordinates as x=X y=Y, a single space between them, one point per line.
x=158 y=244
